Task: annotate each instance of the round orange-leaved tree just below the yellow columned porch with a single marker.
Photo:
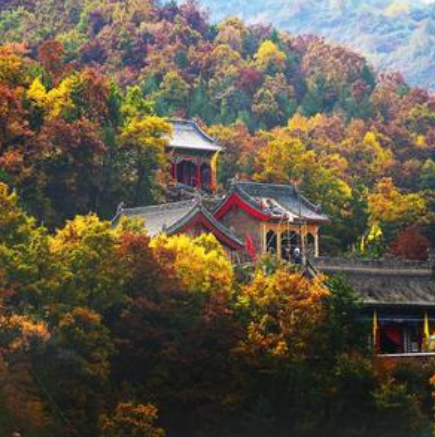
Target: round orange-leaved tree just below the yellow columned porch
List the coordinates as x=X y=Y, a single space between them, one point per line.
x=285 y=308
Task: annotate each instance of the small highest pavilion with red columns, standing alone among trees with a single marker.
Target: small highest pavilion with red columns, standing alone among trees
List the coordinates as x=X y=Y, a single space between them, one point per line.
x=192 y=155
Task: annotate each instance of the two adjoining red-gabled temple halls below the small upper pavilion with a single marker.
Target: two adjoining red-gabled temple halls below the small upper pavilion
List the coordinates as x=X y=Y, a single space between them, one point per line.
x=250 y=220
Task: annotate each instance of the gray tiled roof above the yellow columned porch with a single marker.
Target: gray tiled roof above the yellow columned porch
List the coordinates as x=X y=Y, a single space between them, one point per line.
x=278 y=199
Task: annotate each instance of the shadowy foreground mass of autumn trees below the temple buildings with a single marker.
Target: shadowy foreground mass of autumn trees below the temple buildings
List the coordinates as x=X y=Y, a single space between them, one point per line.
x=104 y=332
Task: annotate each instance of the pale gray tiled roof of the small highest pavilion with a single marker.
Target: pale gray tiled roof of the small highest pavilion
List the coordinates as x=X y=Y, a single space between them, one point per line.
x=188 y=135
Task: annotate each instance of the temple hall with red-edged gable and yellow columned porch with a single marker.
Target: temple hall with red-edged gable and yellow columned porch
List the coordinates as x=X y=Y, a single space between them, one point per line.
x=273 y=218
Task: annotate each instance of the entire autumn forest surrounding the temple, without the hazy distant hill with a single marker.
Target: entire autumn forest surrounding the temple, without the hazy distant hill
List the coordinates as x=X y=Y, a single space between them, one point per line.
x=106 y=332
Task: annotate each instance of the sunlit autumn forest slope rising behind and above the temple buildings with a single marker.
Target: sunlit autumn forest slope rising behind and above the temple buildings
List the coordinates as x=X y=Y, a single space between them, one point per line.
x=83 y=84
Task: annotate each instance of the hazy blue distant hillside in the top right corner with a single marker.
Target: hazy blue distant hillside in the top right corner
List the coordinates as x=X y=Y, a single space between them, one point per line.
x=395 y=35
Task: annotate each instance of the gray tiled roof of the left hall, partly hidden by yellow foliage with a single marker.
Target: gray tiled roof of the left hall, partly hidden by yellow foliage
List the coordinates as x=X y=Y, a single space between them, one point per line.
x=171 y=217
